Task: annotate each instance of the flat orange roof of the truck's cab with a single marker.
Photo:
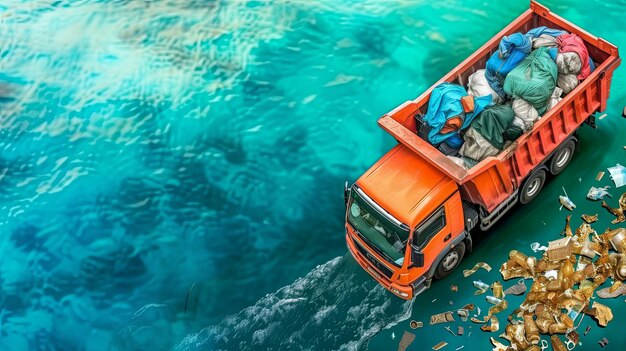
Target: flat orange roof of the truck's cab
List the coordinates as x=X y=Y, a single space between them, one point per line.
x=402 y=183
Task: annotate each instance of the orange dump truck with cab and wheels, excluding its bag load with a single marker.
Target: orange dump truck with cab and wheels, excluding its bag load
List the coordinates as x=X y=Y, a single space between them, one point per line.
x=409 y=218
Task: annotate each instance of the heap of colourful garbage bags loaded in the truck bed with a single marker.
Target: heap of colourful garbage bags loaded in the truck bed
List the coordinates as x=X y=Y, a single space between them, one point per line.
x=527 y=76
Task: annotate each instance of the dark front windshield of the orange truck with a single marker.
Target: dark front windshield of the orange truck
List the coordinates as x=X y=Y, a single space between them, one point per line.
x=384 y=236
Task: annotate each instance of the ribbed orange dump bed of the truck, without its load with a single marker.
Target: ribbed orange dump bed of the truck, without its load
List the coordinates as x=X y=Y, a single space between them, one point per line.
x=496 y=178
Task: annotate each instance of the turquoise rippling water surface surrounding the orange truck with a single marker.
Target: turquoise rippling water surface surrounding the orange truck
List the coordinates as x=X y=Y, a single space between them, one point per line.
x=171 y=172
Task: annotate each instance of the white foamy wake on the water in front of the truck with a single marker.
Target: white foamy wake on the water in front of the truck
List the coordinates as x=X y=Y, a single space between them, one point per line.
x=334 y=307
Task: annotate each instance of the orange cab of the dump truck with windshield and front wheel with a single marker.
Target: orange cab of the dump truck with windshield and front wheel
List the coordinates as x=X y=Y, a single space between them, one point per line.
x=405 y=223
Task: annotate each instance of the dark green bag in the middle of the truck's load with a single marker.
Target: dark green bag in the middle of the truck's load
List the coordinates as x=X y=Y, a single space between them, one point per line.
x=493 y=122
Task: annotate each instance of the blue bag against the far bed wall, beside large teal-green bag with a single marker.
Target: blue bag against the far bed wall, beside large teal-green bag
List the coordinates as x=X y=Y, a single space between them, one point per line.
x=512 y=50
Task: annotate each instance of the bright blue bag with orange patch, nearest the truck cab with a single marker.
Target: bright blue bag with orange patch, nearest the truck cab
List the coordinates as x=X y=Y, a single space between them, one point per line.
x=444 y=106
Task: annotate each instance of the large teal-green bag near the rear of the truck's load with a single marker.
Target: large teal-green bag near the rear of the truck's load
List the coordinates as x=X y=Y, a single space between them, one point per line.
x=533 y=80
